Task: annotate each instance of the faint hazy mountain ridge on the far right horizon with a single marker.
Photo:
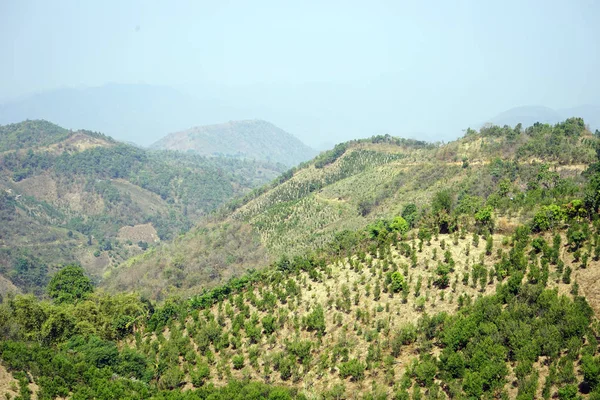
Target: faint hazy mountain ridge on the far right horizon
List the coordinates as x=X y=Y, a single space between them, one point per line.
x=528 y=115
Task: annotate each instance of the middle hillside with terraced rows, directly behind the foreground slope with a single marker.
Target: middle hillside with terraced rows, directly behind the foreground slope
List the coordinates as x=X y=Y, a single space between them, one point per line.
x=360 y=182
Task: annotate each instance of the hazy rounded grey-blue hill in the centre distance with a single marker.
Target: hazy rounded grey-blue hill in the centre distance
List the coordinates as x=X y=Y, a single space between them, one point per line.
x=251 y=139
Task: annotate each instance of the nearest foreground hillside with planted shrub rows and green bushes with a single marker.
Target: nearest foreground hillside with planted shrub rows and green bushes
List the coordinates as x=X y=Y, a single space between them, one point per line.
x=386 y=312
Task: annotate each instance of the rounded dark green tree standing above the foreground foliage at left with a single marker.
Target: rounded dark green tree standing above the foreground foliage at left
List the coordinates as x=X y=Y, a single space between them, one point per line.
x=70 y=284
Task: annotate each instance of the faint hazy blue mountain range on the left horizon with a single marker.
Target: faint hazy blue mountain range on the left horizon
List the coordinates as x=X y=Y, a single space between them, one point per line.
x=136 y=113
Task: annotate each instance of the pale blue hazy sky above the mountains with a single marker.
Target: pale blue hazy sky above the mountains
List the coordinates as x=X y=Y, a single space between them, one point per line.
x=323 y=70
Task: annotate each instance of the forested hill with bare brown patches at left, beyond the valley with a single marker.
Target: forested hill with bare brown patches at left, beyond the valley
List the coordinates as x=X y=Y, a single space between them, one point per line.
x=79 y=196
